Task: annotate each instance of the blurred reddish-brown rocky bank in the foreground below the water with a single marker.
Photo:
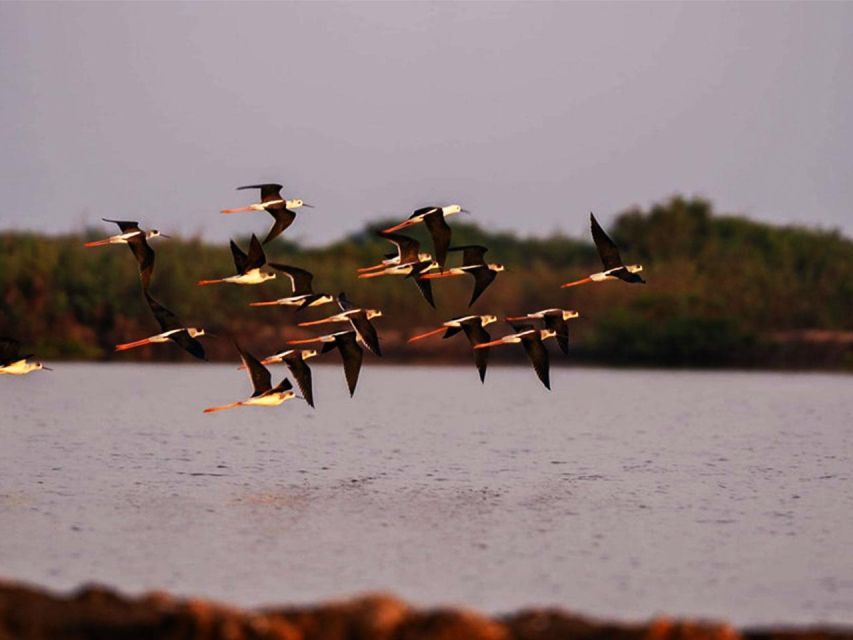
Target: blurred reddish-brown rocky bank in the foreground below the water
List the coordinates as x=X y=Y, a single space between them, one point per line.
x=27 y=613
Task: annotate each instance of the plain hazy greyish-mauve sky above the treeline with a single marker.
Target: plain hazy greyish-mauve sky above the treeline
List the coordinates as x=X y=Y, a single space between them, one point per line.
x=529 y=114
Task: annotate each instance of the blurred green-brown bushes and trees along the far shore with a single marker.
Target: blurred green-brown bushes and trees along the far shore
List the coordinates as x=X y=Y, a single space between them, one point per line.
x=723 y=291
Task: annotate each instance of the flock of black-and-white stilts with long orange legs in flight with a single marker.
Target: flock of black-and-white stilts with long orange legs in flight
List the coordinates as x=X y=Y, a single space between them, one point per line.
x=408 y=261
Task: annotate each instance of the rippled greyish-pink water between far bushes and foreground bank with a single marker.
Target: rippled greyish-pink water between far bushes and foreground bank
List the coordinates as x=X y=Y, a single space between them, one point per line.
x=619 y=494
